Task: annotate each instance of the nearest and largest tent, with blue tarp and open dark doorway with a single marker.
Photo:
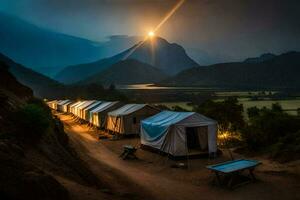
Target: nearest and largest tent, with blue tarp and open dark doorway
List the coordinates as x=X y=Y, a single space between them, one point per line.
x=179 y=133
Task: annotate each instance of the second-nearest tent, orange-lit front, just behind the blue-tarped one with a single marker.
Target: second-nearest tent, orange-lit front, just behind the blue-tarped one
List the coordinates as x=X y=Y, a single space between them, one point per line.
x=126 y=120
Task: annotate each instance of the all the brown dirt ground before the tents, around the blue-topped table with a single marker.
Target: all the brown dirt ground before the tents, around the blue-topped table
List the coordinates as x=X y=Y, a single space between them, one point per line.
x=151 y=177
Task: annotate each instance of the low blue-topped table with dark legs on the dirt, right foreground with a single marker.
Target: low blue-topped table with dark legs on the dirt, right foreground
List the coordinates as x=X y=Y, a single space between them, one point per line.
x=227 y=172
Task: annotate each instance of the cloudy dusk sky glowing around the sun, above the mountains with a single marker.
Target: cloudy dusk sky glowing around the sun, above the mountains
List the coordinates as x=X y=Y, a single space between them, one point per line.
x=225 y=30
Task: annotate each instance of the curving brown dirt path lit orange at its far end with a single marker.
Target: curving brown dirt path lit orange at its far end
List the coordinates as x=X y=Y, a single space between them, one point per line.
x=128 y=177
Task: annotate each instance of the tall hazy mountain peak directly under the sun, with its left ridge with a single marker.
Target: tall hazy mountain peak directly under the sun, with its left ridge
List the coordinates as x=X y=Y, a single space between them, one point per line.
x=170 y=58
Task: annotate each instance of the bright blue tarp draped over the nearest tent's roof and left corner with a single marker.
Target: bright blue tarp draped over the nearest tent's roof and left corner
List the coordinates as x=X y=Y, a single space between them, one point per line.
x=157 y=125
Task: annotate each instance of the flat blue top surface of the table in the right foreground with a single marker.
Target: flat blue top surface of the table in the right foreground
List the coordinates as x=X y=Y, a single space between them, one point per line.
x=235 y=165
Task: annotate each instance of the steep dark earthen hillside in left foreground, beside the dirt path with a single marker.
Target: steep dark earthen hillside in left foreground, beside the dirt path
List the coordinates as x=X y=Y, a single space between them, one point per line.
x=34 y=148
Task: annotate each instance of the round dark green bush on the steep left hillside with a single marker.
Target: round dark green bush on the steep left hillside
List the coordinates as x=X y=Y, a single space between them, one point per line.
x=31 y=121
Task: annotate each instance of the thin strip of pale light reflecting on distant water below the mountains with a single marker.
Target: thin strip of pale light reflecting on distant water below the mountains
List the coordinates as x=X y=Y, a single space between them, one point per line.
x=154 y=87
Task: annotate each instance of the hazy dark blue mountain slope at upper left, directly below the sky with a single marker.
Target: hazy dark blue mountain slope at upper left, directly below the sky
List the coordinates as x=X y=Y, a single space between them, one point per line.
x=48 y=52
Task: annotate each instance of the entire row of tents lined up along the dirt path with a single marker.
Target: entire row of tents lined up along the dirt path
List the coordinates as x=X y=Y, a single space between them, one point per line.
x=175 y=133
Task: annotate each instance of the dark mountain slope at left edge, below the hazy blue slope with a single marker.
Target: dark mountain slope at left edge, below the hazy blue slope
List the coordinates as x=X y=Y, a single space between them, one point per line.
x=40 y=84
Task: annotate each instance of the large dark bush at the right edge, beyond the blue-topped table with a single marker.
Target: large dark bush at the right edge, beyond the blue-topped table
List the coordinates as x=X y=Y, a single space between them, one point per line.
x=268 y=127
